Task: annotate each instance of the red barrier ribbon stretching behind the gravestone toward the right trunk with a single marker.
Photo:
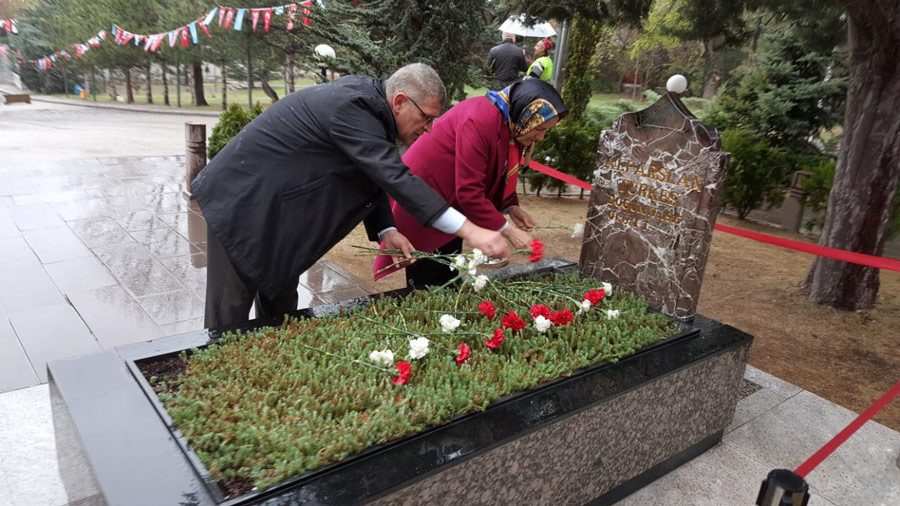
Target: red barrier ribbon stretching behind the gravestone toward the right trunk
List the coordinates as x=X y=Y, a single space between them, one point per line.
x=814 y=249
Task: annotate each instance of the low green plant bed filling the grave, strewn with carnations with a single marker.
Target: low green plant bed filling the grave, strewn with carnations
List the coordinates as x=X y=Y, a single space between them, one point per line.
x=263 y=406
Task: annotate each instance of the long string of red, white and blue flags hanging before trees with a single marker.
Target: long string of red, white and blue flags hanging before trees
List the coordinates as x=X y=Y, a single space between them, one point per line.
x=227 y=18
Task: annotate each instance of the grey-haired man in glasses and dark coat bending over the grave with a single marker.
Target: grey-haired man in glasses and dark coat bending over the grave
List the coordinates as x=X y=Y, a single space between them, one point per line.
x=304 y=173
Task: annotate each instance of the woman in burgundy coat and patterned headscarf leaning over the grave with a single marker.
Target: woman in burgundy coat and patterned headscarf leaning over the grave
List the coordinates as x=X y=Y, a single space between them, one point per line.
x=472 y=157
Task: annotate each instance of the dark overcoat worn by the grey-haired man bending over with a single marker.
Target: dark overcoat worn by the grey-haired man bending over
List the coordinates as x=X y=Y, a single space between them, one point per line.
x=302 y=175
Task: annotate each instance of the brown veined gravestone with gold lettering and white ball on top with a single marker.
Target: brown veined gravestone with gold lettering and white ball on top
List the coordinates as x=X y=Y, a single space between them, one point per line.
x=656 y=193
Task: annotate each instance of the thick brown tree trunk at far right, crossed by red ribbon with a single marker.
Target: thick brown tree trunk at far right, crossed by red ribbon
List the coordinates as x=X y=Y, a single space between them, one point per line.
x=859 y=206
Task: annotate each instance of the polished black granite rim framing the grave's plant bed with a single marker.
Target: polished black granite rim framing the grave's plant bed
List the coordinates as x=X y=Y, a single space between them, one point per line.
x=429 y=451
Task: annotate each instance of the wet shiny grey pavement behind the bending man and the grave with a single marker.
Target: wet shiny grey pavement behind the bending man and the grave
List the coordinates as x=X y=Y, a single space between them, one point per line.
x=100 y=251
